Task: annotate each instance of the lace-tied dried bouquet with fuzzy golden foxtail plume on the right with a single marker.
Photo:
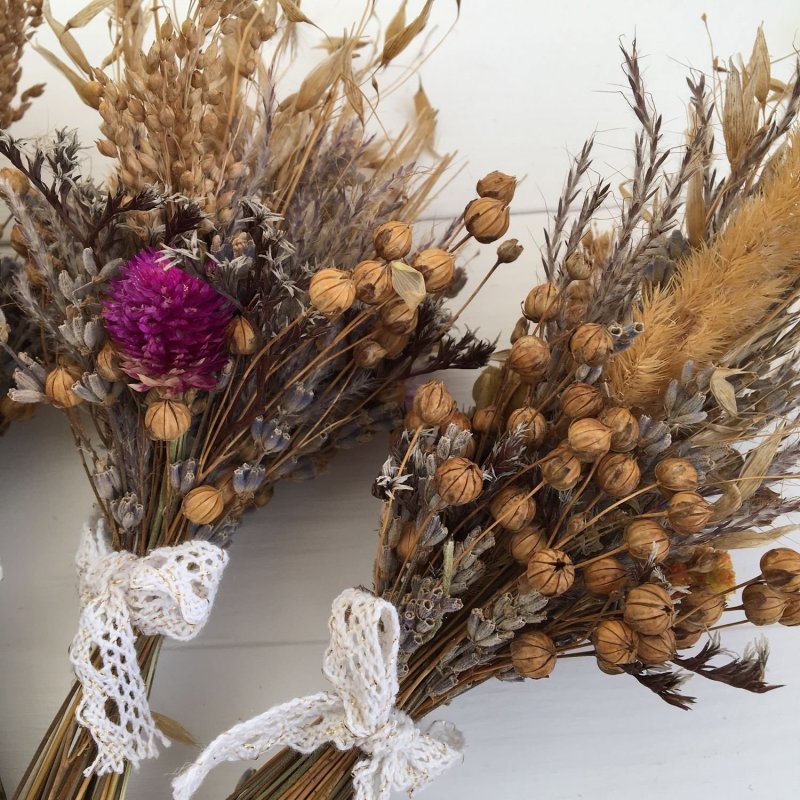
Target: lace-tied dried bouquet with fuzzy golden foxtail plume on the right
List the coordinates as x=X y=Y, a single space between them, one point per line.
x=640 y=427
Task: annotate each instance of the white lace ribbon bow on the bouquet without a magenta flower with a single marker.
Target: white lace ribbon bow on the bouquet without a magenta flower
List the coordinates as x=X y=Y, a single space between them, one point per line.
x=361 y=663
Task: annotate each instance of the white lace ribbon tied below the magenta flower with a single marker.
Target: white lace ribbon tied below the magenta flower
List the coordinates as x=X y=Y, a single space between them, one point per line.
x=169 y=592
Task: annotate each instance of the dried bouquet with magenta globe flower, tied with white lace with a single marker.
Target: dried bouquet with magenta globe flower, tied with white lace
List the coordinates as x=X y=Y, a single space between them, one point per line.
x=247 y=298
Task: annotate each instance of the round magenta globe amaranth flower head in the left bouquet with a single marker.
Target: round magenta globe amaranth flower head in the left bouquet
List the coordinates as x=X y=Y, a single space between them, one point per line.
x=167 y=325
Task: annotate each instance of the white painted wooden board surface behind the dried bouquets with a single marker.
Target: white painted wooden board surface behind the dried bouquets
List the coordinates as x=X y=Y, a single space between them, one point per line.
x=519 y=85
